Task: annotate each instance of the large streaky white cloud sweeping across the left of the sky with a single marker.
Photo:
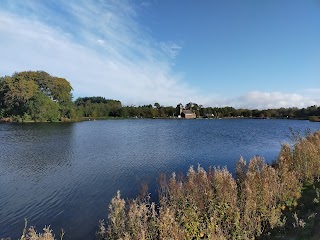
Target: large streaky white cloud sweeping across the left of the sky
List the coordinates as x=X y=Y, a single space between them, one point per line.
x=105 y=53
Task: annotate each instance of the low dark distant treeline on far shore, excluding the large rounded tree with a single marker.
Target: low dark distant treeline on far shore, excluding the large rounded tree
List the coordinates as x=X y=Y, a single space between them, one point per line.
x=113 y=108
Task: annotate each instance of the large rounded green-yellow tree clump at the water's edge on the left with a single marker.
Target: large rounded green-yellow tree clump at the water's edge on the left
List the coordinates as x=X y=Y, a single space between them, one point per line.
x=30 y=91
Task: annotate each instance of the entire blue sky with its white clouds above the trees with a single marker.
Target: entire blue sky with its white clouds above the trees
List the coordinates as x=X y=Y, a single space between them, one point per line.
x=251 y=54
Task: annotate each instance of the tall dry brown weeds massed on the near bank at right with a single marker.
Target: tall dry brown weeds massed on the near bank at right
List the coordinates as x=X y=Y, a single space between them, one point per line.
x=214 y=205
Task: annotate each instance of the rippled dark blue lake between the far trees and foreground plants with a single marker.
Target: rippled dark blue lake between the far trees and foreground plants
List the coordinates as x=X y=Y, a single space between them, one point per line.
x=65 y=175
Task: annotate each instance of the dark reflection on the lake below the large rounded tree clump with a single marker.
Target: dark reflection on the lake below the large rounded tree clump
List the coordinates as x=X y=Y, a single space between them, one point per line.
x=29 y=147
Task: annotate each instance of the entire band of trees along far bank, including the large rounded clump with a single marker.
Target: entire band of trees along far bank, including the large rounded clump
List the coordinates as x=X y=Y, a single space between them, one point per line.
x=36 y=96
